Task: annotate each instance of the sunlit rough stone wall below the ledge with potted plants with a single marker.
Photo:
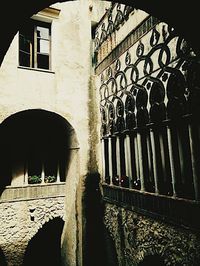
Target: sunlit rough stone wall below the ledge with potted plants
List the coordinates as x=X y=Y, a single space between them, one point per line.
x=17 y=227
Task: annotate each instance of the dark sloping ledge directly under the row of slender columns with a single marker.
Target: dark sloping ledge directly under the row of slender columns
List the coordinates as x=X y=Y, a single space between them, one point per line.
x=172 y=210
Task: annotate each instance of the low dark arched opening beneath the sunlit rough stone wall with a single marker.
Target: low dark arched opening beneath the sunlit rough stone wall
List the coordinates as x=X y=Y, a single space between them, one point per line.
x=45 y=247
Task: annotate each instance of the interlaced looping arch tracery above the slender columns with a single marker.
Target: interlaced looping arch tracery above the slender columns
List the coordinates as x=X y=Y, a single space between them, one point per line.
x=155 y=88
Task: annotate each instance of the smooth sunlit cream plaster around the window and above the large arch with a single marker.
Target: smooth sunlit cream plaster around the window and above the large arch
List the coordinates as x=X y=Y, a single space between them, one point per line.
x=65 y=89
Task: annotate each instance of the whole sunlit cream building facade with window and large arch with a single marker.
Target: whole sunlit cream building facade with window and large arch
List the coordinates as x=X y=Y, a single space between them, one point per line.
x=45 y=131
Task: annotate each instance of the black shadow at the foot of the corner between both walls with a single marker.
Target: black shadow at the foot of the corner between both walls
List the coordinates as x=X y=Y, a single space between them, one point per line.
x=100 y=248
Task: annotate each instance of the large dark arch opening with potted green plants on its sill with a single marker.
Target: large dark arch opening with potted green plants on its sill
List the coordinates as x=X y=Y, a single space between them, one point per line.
x=36 y=147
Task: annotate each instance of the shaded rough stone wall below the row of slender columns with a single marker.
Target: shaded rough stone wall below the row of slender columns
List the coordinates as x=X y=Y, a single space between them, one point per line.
x=136 y=236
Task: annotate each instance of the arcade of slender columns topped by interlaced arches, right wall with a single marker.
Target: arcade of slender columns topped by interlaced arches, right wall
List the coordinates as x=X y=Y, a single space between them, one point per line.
x=149 y=104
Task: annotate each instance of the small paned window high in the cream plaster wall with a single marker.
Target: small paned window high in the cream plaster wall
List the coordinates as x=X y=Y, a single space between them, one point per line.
x=35 y=45
